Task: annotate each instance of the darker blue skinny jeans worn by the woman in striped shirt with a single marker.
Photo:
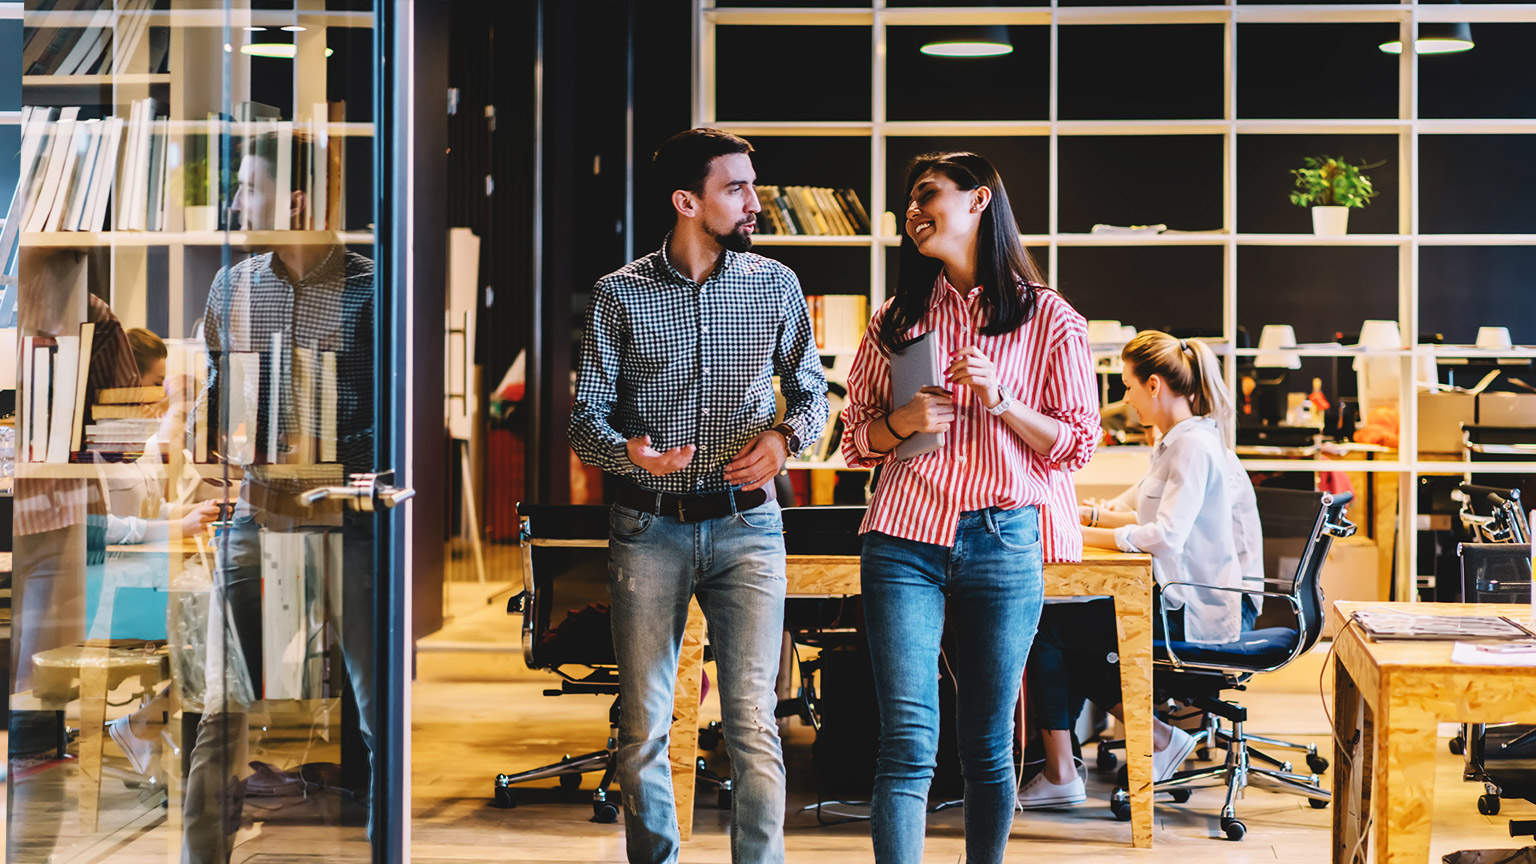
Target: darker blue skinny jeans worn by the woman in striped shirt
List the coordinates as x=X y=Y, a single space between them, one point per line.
x=993 y=582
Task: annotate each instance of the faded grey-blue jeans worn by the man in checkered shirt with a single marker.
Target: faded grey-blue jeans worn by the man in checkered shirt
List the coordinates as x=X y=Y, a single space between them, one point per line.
x=735 y=567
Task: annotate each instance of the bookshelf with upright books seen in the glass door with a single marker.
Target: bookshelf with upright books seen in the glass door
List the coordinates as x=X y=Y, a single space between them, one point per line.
x=107 y=58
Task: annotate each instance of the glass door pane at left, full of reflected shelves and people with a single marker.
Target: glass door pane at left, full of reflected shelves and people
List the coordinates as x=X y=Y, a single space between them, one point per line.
x=197 y=496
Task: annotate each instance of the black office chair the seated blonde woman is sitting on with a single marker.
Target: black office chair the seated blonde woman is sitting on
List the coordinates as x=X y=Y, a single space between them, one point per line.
x=1197 y=674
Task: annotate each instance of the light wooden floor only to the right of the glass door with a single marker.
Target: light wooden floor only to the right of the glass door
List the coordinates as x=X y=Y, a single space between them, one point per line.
x=477 y=716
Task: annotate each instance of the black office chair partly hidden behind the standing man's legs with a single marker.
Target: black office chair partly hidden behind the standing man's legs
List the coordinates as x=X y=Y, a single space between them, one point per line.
x=568 y=547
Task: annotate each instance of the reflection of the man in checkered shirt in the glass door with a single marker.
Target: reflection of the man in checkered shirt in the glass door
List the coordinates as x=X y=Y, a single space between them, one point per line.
x=302 y=316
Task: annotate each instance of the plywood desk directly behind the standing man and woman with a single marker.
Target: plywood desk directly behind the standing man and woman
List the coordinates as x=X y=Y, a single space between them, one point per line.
x=1125 y=577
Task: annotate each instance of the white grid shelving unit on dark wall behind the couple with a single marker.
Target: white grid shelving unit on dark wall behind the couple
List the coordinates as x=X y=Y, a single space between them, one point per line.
x=1406 y=115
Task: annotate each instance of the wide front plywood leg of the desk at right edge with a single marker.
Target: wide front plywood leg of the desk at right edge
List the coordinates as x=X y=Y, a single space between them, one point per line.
x=1405 y=796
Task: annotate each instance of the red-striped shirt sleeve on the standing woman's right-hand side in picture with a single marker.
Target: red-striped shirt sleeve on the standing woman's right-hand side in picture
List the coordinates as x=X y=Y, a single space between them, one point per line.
x=1070 y=394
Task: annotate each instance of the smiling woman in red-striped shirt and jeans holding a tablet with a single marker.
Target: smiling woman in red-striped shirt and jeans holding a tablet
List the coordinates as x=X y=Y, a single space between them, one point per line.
x=961 y=527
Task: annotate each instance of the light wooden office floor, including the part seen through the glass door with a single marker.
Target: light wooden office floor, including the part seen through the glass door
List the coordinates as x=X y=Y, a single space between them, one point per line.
x=477 y=713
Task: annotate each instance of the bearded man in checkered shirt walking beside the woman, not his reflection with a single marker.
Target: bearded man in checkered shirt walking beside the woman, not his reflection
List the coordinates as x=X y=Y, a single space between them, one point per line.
x=675 y=397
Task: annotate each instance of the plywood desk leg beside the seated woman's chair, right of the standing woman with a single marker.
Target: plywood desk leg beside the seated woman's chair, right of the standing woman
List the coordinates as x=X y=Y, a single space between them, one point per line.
x=1134 y=625
